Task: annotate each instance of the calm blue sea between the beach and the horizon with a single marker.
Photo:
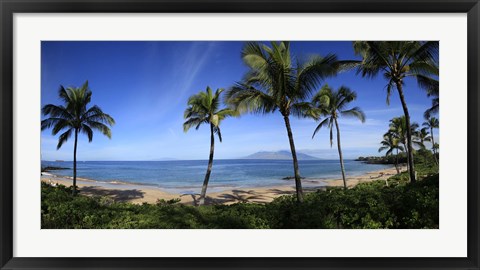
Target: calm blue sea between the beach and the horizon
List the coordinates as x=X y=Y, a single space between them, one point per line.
x=186 y=176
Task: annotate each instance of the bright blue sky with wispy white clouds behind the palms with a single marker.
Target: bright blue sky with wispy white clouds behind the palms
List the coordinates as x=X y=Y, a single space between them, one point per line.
x=145 y=86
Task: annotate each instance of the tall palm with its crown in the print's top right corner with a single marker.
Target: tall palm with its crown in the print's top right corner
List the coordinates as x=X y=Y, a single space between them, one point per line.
x=398 y=60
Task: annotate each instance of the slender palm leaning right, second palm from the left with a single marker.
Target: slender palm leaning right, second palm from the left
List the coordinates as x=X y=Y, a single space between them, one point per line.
x=204 y=108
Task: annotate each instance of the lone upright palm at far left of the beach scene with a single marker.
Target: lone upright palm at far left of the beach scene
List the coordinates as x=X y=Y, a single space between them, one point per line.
x=74 y=117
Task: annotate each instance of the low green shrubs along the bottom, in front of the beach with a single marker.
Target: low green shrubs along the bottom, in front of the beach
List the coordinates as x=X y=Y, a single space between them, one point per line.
x=401 y=204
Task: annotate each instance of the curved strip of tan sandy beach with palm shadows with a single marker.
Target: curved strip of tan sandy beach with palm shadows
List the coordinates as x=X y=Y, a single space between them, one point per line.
x=147 y=194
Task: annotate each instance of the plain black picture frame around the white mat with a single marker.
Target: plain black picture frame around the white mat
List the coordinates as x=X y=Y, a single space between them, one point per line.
x=9 y=7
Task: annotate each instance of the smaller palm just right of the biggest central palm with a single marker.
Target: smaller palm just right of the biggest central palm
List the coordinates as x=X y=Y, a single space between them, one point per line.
x=331 y=104
